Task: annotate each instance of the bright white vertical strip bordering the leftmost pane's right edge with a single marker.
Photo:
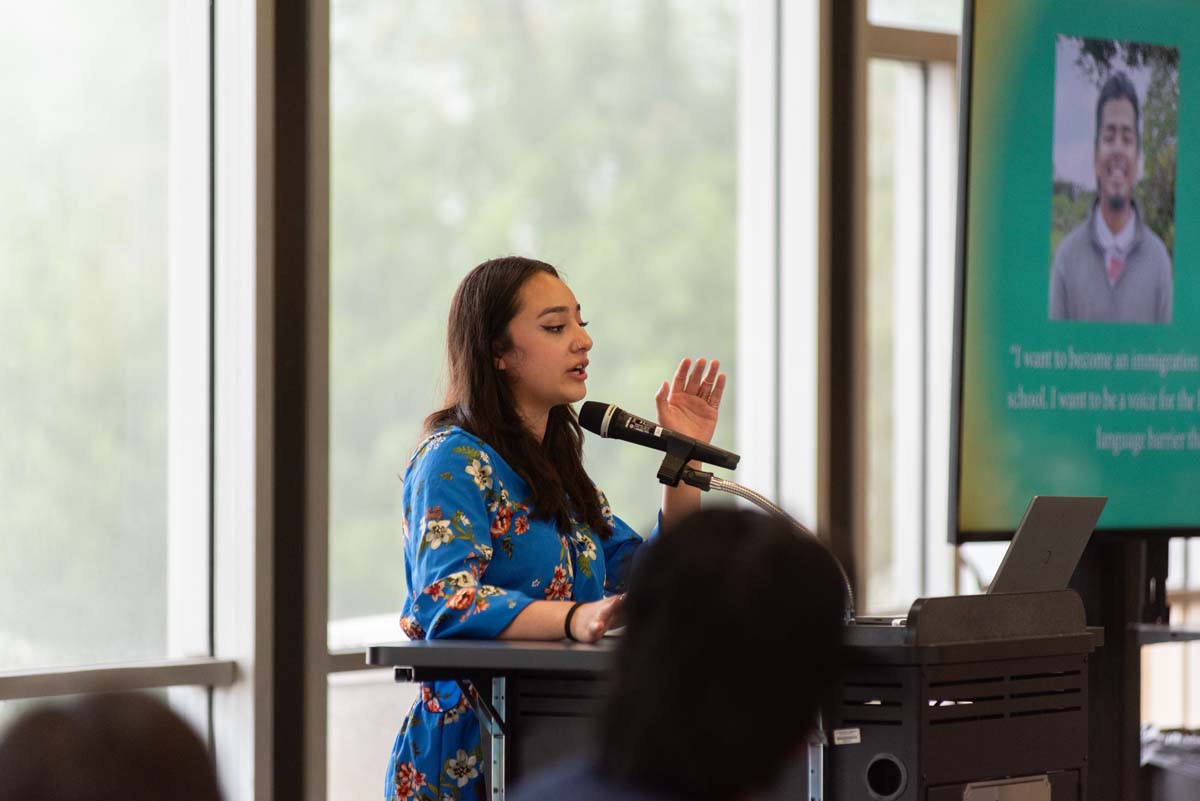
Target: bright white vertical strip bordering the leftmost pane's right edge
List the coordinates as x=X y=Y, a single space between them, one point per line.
x=189 y=353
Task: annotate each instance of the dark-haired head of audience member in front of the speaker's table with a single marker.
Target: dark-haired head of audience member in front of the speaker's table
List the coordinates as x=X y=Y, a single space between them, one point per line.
x=733 y=642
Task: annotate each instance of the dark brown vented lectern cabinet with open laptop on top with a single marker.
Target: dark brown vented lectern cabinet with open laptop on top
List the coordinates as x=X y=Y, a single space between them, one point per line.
x=970 y=697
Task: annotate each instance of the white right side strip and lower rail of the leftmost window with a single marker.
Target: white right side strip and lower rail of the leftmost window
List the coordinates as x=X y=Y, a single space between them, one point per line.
x=189 y=376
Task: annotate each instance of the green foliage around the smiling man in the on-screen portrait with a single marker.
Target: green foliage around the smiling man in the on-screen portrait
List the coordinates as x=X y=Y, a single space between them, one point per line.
x=1155 y=194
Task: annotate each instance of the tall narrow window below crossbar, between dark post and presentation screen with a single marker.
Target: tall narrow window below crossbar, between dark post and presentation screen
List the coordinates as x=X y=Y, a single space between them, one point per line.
x=913 y=124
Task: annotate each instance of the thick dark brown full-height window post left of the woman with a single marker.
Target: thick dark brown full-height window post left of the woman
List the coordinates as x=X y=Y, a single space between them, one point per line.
x=297 y=269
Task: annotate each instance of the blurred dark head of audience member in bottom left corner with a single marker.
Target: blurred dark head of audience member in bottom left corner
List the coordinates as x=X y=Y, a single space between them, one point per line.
x=109 y=748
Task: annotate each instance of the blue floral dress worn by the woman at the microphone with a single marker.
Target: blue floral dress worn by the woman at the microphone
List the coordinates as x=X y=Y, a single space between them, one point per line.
x=475 y=558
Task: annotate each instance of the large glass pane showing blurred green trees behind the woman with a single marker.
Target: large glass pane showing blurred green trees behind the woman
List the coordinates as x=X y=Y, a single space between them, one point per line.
x=599 y=137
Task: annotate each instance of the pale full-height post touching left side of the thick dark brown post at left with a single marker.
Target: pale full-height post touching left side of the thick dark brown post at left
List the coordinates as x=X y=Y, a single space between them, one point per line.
x=244 y=164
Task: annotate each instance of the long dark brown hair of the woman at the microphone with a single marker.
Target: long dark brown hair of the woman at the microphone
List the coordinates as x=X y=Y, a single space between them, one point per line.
x=479 y=399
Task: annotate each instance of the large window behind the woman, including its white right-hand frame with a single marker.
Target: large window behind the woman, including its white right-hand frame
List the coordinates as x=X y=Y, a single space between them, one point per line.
x=610 y=140
